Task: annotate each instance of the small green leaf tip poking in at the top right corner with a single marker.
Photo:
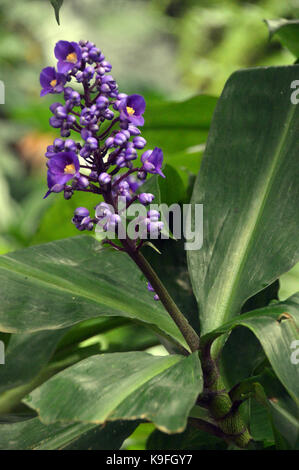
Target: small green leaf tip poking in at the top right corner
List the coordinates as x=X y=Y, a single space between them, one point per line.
x=287 y=32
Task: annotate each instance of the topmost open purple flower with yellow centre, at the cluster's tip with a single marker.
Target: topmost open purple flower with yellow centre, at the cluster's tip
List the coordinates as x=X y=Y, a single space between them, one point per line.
x=68 y=54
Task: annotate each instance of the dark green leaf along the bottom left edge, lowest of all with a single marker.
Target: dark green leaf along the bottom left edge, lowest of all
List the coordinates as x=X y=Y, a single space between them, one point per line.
x=32 y=434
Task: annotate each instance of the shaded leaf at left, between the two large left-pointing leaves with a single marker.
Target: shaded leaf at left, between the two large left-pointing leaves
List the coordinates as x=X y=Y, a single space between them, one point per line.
x=30 y=358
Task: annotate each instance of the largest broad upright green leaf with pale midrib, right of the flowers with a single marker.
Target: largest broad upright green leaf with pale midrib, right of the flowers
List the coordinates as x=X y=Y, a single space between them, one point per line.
x=248 y=185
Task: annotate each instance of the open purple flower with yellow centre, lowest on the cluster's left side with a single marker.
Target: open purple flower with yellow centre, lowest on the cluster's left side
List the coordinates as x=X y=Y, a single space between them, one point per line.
x=62 y=167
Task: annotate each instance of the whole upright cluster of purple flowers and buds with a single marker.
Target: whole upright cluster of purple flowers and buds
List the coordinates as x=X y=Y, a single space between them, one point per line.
x=100 y=137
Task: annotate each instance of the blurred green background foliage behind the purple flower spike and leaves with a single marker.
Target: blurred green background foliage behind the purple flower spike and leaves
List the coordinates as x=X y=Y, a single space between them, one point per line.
x=168 y=50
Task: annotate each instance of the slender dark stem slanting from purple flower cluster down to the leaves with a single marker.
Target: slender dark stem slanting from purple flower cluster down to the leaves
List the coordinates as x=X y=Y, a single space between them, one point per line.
x=182 y=323
